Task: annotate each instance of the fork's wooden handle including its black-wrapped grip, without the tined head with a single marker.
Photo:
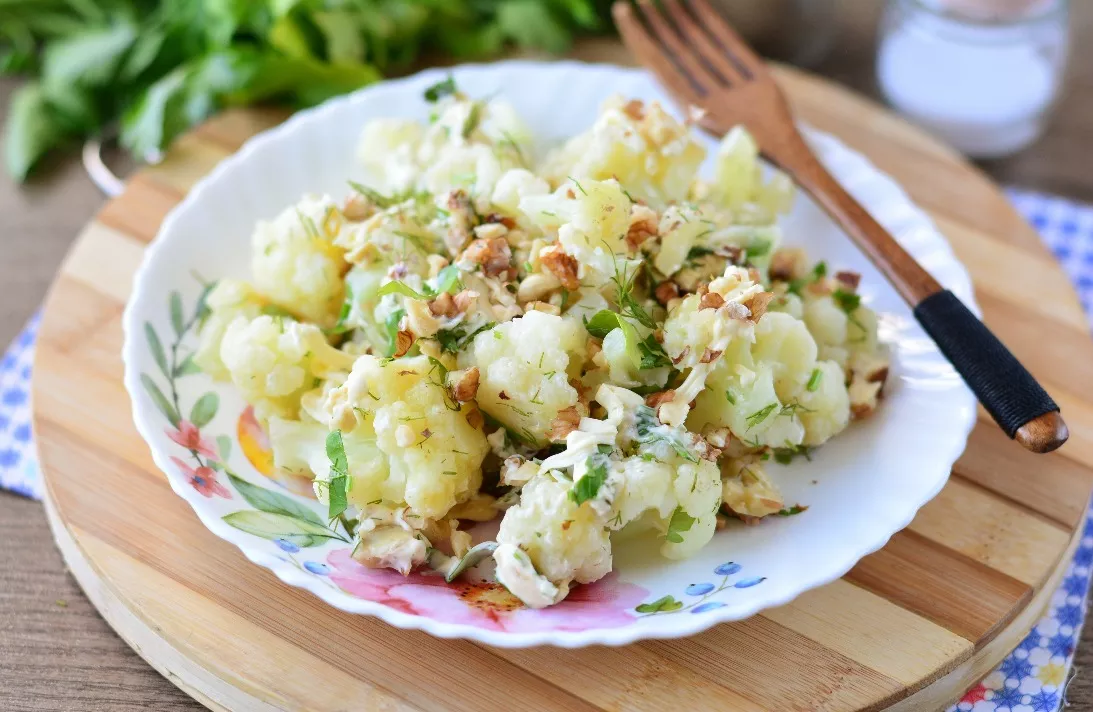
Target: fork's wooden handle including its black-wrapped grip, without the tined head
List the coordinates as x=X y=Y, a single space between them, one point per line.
x=1005 y=388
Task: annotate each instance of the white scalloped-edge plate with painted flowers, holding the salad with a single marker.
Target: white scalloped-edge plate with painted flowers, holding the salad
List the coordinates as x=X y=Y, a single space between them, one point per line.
x=862 y=488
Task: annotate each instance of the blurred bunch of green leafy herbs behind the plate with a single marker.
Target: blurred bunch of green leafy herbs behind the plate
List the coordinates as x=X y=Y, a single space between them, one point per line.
x=154 y=69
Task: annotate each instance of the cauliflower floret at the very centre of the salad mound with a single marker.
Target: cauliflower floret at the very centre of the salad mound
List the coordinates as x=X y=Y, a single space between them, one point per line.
x=525 y=368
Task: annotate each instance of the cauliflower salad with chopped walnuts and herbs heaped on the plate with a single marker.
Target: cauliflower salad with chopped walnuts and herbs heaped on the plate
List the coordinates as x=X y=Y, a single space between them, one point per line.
x=586 y=343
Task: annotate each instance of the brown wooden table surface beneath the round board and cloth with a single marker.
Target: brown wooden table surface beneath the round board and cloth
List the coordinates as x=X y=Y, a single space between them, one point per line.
x=56 y=653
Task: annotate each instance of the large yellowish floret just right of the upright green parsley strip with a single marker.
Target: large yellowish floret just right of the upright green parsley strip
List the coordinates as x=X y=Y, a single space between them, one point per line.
x=433 y=454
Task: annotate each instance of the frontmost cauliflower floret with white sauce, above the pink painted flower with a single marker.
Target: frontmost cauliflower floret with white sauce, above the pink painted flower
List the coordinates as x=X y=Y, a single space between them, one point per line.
x=566 y=543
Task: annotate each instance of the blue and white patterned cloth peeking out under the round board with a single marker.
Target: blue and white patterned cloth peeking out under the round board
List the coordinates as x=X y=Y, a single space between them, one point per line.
x=1032 y=680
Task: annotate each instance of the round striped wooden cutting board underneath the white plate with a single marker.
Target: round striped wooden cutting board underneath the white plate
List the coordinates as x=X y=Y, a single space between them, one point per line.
x=910 y=628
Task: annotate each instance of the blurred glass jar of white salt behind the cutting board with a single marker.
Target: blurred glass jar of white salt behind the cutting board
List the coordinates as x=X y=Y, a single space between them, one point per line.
x=982 y=75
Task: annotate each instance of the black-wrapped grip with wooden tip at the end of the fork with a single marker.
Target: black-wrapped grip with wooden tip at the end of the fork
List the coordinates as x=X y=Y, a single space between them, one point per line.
x=1005 y=388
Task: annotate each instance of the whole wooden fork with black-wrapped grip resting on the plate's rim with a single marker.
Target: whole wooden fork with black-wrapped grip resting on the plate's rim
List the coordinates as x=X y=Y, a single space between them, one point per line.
x=703 y=63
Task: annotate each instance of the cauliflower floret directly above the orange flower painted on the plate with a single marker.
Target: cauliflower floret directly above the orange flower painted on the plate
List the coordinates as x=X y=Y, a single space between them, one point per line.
x=274 y=361
